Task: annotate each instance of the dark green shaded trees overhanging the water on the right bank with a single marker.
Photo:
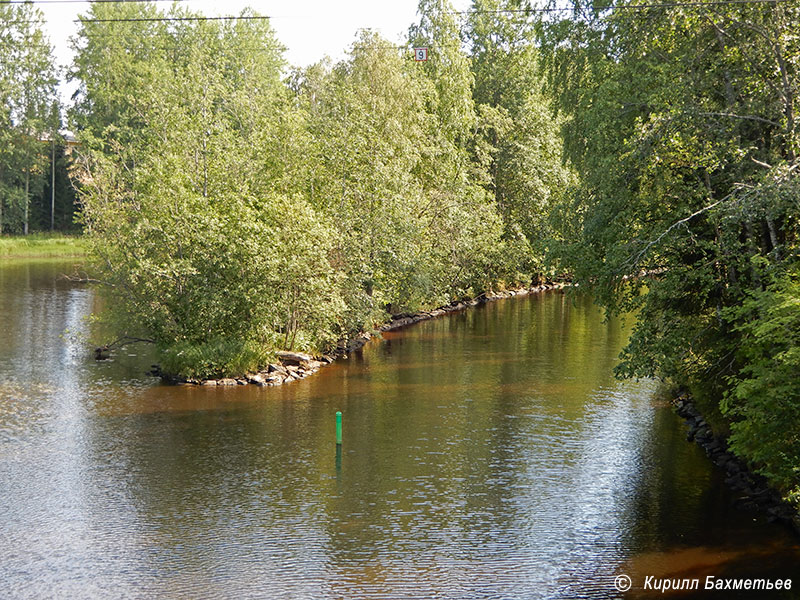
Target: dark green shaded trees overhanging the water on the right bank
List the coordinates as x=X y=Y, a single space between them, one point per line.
x=681 y=121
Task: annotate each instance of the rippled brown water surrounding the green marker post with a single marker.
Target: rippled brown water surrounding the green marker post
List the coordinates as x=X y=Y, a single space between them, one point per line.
x=488 y=454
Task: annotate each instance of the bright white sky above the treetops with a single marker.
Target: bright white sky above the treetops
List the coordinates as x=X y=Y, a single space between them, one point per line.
x=310 y=29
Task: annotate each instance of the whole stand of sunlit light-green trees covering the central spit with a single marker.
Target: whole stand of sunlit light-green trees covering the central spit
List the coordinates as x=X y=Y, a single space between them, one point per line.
x=235 y=211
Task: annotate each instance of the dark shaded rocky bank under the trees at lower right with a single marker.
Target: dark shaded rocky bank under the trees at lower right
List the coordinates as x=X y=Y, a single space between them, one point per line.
x=754 y=492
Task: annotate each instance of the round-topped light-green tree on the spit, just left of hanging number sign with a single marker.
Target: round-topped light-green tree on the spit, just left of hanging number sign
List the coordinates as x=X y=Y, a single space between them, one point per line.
x=367 y=122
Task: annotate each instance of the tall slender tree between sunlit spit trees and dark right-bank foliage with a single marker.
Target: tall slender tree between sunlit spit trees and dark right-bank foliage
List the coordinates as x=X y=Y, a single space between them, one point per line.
x=518 y=138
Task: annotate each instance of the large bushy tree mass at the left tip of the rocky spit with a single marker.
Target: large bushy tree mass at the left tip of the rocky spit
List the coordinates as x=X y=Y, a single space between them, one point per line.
x=183 y=192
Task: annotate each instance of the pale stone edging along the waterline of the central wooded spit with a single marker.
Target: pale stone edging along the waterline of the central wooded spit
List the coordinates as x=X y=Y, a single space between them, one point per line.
x=292 y=366
